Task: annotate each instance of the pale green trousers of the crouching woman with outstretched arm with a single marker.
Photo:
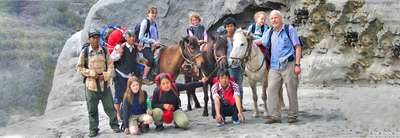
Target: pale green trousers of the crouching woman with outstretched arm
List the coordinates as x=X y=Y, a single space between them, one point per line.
x=180 y=118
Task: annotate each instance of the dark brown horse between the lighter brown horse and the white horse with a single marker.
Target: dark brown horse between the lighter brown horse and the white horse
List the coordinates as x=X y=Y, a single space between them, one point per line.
x=214 y=59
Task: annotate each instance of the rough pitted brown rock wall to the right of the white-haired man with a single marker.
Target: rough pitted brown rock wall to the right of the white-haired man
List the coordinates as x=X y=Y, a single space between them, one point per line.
x=350 y=41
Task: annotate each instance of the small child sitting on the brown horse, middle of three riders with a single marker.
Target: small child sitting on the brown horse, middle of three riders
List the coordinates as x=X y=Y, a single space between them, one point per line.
x=197 y=30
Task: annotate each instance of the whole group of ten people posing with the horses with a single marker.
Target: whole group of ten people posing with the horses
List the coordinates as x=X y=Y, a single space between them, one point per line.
x=134 y=108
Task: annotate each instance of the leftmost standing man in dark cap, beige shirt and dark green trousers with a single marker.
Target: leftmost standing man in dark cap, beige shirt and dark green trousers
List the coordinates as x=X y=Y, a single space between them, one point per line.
x=95 y=65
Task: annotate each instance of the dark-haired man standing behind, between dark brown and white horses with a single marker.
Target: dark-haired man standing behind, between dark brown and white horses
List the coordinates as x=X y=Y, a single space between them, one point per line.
x=234 y=67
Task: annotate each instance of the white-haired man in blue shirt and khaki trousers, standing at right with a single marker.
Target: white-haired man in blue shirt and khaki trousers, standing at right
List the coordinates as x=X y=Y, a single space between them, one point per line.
x=285 y=66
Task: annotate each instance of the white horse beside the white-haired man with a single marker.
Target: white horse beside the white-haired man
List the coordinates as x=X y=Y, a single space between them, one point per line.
x=255 y=66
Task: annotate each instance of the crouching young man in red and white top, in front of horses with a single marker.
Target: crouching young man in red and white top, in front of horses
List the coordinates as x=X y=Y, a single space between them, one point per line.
x=226 y=97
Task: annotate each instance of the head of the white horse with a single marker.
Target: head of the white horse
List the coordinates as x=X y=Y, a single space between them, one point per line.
x=241 y=45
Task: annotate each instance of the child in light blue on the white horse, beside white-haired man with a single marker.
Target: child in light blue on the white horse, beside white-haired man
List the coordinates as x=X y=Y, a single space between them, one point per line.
x=259 y=27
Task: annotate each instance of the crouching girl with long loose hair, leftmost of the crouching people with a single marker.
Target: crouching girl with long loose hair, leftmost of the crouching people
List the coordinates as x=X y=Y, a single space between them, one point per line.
x=137 y=116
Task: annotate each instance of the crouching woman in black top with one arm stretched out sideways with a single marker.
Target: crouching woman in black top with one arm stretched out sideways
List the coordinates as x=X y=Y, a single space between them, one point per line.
x=166 y=102
